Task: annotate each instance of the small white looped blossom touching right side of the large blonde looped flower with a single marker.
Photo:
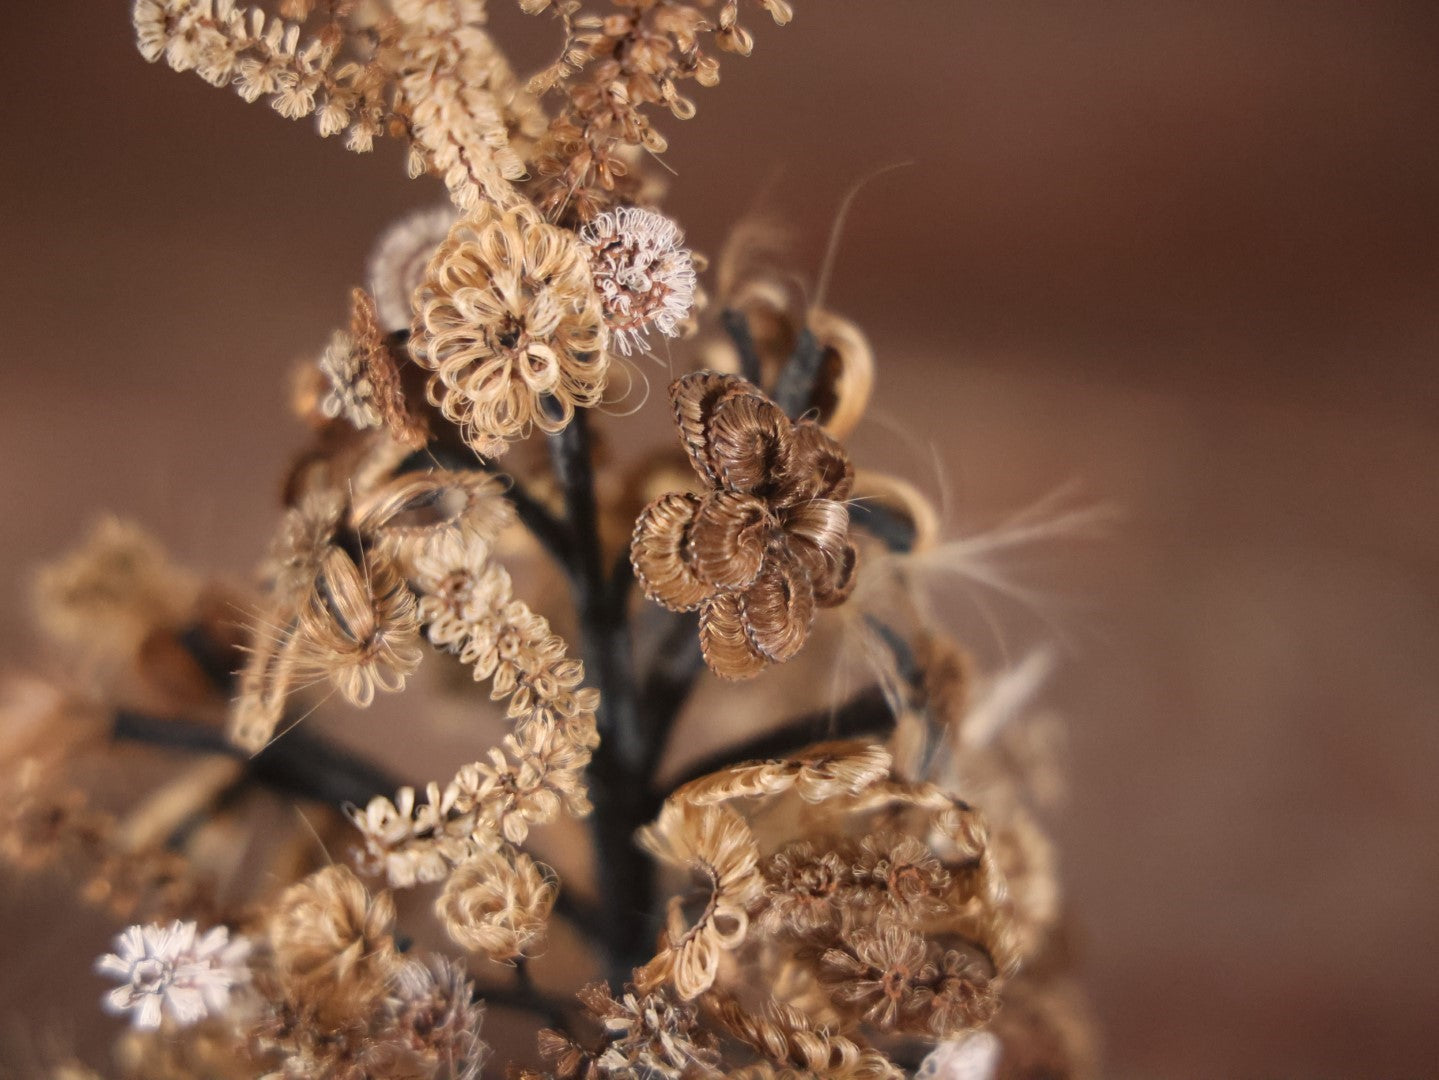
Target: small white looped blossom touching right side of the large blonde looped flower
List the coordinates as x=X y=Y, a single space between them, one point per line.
x=643 y=273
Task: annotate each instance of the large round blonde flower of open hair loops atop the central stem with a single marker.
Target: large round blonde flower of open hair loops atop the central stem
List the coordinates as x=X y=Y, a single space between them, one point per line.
x=512 y=329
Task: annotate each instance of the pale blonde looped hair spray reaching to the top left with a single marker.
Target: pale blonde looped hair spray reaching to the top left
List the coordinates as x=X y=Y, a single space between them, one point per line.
x=422 y=68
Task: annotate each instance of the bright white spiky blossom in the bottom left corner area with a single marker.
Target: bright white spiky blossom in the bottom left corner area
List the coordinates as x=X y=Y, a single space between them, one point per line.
x=173 y=970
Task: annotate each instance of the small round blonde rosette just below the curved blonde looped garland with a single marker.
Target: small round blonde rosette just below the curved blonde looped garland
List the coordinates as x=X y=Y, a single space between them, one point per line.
x=497 y=904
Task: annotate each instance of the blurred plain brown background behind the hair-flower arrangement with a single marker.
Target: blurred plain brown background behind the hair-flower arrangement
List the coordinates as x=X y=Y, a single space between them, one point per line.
x=1181 y=254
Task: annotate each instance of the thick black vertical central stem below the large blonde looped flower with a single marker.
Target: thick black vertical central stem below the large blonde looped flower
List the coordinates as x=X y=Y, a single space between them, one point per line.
x=618 y=783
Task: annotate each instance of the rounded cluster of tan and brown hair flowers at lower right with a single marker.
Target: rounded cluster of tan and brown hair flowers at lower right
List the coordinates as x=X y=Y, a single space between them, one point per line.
x=887 y=915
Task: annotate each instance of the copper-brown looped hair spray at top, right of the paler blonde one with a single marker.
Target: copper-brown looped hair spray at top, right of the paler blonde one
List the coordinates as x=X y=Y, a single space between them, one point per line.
x=611 y=70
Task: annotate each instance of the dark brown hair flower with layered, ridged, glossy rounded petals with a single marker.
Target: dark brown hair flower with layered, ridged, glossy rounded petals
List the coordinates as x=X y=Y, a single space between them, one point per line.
x=769 y=541
